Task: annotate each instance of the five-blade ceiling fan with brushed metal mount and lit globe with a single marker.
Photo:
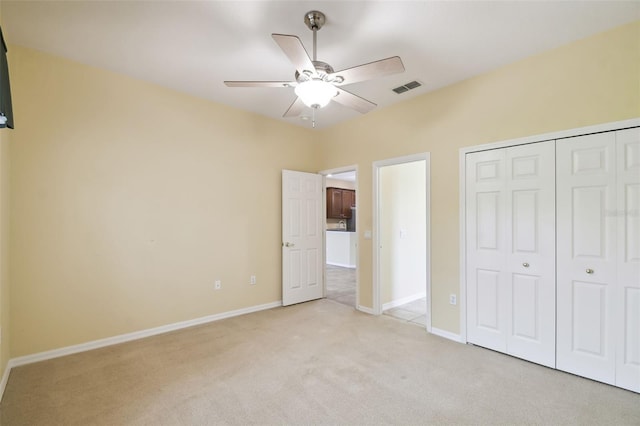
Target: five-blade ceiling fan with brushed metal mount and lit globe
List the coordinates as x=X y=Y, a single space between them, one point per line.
x=315 y=82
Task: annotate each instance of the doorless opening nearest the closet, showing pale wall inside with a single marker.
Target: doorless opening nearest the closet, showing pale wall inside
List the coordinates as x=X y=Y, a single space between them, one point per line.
x=401 y=239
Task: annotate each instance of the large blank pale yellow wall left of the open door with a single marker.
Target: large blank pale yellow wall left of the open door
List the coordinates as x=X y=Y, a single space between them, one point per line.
x=128 y=200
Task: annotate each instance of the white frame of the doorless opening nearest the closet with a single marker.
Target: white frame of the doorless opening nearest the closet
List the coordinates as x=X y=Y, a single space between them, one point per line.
x=377 y=165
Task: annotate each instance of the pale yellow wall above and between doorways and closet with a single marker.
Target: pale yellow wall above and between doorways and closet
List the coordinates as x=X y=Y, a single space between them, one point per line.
x=591 y=81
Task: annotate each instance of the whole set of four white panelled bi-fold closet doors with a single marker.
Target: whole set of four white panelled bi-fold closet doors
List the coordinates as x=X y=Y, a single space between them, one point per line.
x=552 y=253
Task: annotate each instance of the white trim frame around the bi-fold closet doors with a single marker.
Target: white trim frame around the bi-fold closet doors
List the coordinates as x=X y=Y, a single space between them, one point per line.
x=580 y=131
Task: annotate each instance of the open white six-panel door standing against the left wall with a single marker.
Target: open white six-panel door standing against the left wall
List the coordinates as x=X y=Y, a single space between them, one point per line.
x=302 y=251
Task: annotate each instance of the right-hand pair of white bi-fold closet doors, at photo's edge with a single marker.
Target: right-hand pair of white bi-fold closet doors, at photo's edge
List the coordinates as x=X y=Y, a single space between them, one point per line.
x=598 y=273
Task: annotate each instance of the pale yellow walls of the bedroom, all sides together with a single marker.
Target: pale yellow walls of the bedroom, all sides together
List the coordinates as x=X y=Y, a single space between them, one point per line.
x=128 y=200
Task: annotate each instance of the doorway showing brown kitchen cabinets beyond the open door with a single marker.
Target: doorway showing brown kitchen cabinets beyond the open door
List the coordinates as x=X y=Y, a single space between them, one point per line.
x=341 y=238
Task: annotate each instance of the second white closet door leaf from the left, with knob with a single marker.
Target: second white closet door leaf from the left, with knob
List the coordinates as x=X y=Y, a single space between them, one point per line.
x=530 y=235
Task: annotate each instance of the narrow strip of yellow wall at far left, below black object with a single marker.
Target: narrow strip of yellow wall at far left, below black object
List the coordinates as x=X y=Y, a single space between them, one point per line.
x=5 y=136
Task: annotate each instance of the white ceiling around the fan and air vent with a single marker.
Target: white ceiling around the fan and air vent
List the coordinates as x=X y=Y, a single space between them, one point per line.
x=193 y=46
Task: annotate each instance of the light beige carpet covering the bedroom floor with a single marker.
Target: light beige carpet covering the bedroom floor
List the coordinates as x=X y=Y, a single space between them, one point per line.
x=316 y=363
